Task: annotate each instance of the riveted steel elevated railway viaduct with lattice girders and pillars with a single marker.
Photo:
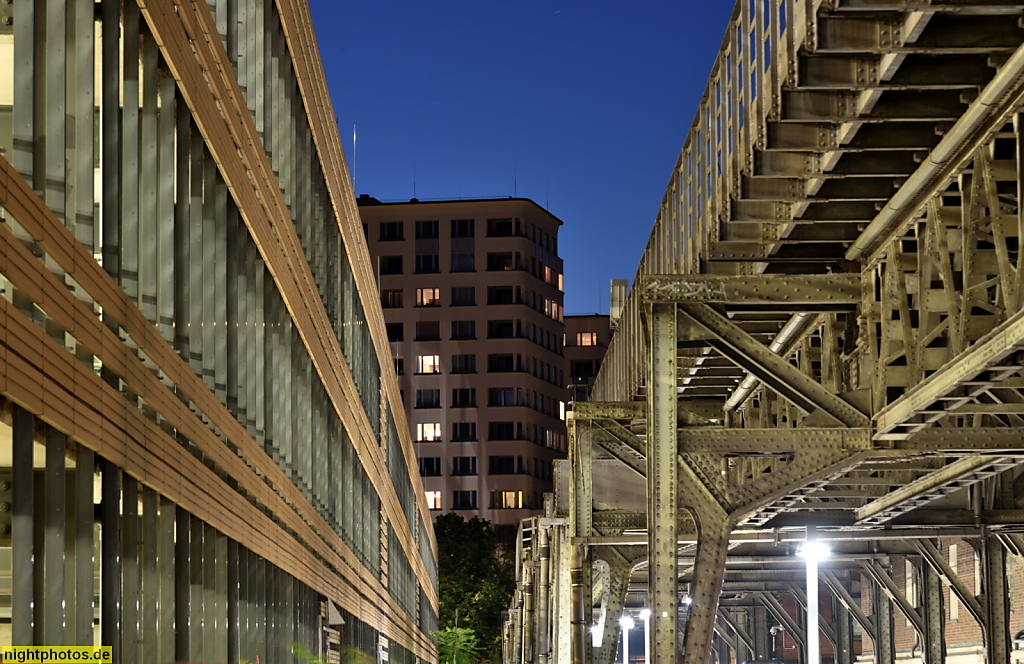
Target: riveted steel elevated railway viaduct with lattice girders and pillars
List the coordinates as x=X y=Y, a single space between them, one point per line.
x=825 y=334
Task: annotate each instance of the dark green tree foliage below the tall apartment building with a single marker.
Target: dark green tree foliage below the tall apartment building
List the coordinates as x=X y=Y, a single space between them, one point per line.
x=477 y=575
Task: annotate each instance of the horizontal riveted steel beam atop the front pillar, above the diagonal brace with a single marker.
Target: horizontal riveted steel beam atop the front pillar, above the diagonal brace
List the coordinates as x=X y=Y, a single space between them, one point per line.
x=780 y=290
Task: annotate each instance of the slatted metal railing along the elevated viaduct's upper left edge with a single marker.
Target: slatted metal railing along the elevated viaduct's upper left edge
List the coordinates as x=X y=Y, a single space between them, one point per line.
x=757 y=58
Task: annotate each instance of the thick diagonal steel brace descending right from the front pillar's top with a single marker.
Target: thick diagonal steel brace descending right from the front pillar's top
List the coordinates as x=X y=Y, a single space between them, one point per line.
x=749 y=354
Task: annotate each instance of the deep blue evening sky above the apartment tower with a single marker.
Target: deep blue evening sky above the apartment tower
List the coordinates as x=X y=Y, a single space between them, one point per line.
x=580 y=105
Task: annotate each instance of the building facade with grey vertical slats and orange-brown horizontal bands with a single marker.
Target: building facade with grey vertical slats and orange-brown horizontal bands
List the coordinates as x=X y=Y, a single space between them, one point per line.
x=203 y=450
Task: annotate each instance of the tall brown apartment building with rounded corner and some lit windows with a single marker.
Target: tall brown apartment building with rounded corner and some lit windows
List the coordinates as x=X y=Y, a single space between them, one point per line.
x=473 y=298
